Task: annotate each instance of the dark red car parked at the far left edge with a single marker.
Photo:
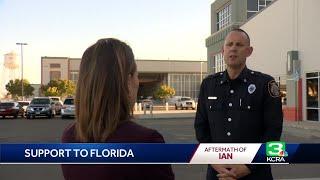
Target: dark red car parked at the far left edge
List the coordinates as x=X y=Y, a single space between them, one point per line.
x=11 y=109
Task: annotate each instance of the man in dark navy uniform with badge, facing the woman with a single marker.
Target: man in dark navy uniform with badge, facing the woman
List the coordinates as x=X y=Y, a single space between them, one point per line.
x=238 y=106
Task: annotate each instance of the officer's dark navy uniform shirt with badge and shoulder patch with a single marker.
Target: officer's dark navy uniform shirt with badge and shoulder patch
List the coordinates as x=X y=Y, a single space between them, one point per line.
x=247 y=109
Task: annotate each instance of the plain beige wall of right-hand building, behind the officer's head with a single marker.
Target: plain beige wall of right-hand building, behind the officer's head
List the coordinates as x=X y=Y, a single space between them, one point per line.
x=284 y=26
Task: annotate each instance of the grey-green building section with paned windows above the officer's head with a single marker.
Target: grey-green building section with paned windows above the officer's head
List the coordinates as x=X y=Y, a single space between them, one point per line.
x=225 y=15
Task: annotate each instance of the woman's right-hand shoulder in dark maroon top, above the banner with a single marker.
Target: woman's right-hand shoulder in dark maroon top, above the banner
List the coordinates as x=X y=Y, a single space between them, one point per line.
x=130 y=131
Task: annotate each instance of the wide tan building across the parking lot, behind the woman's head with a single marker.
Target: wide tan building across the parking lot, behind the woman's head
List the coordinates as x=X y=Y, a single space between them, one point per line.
x=184 y=76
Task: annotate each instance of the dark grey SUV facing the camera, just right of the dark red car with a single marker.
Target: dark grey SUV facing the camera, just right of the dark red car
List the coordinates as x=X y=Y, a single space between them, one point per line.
x=41 y=106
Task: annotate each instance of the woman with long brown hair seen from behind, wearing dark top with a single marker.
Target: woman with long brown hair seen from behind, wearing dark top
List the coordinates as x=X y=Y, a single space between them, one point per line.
x=106 y=91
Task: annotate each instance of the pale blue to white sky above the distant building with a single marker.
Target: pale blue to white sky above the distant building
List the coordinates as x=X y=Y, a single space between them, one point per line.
x=166 y=29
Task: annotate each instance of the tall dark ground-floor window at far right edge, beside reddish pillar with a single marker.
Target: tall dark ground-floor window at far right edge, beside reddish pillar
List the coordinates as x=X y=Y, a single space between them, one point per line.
x=312 y=95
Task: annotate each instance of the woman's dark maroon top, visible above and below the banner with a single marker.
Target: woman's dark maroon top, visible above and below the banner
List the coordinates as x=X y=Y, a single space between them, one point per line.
x=127 y=132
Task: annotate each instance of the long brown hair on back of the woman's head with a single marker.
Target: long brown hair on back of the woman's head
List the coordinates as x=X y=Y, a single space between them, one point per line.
x=102 y=96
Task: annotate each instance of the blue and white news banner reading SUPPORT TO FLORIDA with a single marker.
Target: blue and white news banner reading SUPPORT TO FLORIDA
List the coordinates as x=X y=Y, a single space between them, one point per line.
x=151 y=153
